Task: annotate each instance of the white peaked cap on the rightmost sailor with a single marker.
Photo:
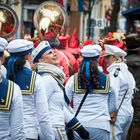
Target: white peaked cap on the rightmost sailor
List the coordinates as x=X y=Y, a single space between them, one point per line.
x=114 y=50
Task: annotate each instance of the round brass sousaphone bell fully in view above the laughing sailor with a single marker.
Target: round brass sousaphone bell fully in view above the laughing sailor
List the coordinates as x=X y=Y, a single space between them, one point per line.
x=50 y=16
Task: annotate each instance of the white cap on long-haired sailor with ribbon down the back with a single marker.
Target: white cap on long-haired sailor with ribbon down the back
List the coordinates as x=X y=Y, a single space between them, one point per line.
x=91 y=50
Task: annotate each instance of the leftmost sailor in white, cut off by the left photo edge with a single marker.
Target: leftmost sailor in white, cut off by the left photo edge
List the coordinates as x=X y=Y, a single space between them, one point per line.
x=11 y=104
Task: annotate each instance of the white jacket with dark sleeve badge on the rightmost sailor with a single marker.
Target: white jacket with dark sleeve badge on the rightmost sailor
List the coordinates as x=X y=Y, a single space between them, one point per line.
x=123 y=80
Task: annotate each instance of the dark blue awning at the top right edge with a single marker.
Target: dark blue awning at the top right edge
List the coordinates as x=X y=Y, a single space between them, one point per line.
x=132 y=12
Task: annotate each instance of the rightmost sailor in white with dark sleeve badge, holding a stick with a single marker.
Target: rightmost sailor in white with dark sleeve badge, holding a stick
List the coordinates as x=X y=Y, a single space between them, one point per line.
x=125 y=84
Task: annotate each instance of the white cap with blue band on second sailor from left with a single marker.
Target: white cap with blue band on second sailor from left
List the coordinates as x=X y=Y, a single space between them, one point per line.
x=19 y=47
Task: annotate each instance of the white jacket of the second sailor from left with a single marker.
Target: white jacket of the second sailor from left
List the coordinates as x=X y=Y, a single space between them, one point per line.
x=35 y=107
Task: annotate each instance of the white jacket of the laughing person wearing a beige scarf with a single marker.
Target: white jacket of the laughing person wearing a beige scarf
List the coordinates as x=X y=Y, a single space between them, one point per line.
x=56 y=101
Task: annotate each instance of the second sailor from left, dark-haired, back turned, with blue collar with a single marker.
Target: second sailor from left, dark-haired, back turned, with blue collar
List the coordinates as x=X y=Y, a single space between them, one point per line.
x=35 y=106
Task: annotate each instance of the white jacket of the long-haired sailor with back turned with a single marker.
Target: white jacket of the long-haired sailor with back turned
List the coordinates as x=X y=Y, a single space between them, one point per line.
x=95 y=109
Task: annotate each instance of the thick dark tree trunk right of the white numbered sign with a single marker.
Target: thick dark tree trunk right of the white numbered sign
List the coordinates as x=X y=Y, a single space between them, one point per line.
x=114 y=16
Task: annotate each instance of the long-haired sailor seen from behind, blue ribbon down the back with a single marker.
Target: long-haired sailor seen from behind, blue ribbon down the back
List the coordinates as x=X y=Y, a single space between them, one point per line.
x=100 y=99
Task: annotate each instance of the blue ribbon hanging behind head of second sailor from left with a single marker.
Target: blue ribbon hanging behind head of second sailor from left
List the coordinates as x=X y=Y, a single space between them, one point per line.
x=10 y=65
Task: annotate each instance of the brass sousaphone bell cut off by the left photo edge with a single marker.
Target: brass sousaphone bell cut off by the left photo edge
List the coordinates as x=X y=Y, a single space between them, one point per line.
x=8 y=21
